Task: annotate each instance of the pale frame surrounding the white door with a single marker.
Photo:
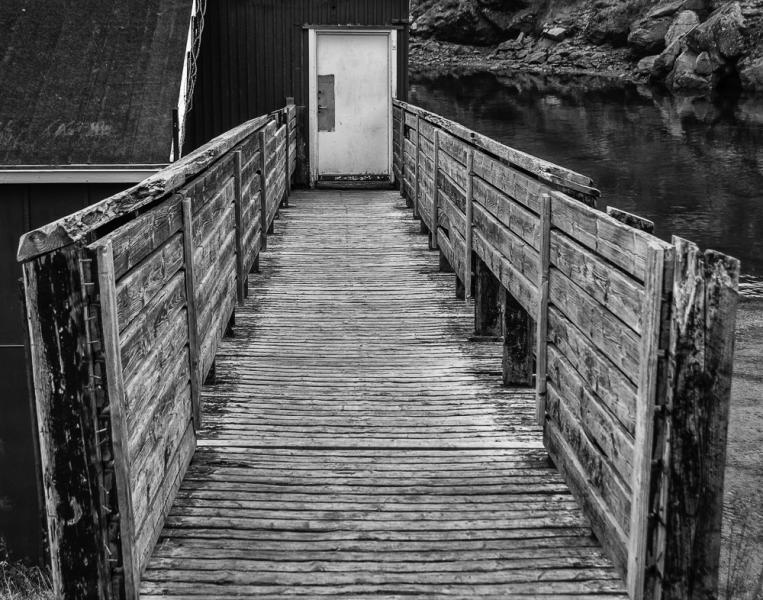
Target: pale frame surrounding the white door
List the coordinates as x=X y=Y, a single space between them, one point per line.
x=312 y=93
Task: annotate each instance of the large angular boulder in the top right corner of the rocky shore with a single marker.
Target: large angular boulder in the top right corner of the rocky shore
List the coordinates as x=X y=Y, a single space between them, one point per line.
x=723 y=34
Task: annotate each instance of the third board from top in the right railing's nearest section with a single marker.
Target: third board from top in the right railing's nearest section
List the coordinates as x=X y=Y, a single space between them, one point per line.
x=606 y=332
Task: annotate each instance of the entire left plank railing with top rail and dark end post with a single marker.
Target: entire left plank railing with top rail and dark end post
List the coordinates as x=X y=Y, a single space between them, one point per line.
x=126 y=303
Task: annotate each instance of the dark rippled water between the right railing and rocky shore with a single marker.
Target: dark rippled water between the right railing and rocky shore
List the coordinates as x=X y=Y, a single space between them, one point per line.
x=693 y=166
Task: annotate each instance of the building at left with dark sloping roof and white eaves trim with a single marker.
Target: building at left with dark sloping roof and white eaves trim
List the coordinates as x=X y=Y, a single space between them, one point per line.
x=87 y=94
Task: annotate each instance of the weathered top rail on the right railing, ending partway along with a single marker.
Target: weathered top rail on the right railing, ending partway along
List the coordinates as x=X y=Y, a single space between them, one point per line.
x=538 y=167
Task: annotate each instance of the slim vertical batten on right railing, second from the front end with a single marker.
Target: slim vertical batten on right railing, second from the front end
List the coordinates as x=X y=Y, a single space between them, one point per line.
x=541 y=338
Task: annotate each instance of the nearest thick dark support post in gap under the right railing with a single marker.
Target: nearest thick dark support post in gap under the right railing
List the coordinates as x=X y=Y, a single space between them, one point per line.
x=517 y=343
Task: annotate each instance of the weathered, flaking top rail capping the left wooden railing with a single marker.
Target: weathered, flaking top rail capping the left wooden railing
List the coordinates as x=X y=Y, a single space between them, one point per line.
x=77 y=226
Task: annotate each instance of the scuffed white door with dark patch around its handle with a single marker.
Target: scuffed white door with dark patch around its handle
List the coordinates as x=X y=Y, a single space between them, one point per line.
x=353 y=88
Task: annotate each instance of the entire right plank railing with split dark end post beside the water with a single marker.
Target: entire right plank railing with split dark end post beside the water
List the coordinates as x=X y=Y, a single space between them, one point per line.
x=627 y=339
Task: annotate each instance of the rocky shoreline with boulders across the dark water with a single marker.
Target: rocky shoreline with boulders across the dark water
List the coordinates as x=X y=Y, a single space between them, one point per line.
x=688 y=46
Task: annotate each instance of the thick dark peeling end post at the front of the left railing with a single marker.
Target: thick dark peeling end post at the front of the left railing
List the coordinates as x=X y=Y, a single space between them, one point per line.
x=69 y=415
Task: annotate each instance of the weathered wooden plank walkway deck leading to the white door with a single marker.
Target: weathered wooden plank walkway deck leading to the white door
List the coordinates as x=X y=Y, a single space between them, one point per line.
x=358 y=444
